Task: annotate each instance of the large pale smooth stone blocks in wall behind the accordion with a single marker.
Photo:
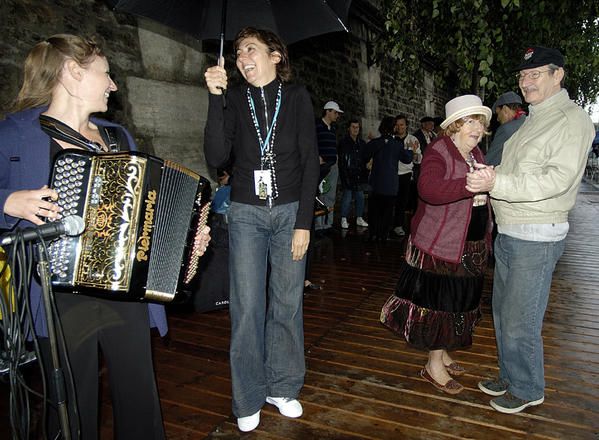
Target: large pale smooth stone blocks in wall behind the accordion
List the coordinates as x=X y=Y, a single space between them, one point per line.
x=168 y=101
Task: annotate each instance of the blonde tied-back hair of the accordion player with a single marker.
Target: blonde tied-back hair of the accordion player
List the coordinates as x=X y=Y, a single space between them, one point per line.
x=44 y=64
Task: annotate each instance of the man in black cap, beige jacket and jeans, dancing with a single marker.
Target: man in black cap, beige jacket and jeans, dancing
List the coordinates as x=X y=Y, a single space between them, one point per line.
x=532 y=192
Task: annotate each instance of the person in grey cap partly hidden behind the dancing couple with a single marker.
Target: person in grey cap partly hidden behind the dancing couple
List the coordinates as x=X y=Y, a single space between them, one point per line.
x=510 y=115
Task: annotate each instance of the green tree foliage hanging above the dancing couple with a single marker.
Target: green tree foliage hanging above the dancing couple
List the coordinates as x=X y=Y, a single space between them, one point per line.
x=479 y=42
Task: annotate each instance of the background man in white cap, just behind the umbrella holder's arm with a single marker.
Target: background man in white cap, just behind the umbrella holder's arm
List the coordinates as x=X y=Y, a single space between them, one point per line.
x=327 y=149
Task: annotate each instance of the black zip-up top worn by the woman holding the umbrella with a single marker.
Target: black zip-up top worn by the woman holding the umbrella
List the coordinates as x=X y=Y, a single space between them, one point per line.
x=231 y=132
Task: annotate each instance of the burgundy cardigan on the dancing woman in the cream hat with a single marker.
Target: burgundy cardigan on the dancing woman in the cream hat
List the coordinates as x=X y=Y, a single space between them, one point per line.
x=440 y=224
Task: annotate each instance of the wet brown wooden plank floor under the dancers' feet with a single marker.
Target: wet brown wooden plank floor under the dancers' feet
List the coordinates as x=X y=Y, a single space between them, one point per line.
x=362 y=382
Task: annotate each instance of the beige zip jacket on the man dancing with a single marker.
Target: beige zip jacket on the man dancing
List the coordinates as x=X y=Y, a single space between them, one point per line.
x=543 y=164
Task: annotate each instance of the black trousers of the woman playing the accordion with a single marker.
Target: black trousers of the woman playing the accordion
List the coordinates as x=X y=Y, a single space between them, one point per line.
x=121 y=330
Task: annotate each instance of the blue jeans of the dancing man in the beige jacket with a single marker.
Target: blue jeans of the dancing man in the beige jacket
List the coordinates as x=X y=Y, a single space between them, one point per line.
x=523 y=272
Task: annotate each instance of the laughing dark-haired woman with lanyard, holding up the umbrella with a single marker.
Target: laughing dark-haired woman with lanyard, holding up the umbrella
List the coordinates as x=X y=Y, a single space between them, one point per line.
x=268 y=127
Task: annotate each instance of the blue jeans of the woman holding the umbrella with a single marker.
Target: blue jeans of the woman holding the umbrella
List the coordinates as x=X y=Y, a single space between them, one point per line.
x=267 y=334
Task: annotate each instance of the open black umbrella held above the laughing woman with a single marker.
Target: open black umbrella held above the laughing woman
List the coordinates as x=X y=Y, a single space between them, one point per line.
x=292 y=20
